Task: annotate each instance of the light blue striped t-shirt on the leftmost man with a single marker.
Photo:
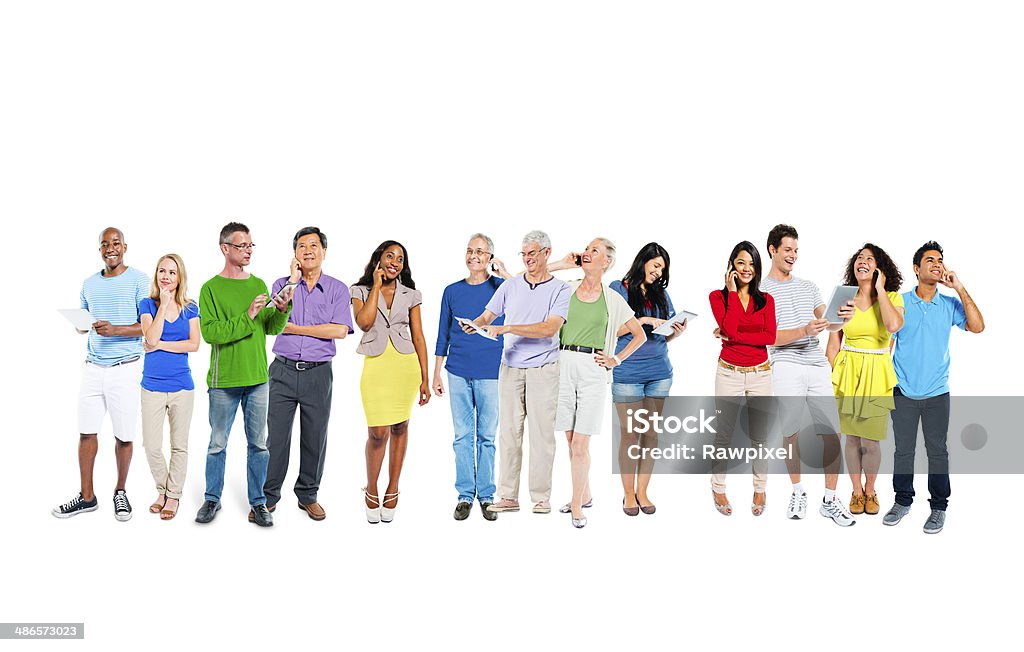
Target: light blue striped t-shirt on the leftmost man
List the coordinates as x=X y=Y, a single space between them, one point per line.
x=114 y=299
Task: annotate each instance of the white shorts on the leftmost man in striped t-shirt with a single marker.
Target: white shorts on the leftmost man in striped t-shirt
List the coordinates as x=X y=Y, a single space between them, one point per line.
x=111 y=389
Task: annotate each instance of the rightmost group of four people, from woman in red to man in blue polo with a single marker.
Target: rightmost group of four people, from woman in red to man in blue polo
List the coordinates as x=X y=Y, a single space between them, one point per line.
x=887 y=359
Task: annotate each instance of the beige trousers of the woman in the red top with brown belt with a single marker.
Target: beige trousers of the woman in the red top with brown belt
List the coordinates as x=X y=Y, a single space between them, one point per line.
x=732 y=383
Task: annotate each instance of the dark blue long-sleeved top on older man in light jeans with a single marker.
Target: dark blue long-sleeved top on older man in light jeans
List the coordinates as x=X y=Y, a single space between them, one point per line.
x=470 y=357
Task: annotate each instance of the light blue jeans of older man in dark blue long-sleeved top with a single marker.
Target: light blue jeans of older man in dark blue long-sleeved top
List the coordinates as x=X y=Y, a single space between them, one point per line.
x=475 y=415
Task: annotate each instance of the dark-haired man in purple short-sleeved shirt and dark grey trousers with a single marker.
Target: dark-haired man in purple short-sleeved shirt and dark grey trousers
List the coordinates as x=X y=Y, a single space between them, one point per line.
x=302 y=376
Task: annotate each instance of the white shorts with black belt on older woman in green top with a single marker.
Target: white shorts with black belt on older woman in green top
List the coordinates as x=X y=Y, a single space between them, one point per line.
x=583 y=392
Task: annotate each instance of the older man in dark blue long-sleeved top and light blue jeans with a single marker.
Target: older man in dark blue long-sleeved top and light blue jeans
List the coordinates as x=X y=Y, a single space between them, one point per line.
x=472 y=363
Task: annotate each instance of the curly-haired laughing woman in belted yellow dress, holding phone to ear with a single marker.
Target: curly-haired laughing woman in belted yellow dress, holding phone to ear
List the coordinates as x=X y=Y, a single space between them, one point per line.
x=864 y=376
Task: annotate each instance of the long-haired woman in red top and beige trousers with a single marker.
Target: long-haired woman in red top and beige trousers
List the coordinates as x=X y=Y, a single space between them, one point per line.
x=746 y=320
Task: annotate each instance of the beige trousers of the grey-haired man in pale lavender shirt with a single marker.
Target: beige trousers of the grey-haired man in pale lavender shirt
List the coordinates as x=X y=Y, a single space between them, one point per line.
x=527 y=396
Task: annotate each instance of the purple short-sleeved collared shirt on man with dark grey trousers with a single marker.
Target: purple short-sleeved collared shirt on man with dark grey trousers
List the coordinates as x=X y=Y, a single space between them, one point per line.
x=328 y=302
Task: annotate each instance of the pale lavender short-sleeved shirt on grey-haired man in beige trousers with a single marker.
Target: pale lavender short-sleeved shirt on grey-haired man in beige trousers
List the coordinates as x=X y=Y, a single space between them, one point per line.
x=524 y=303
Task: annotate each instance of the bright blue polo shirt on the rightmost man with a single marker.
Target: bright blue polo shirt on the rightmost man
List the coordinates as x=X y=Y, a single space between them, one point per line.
x=922 y=354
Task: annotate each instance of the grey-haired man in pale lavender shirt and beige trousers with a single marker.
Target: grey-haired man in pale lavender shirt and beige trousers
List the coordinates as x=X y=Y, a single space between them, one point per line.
x=536 y=306
